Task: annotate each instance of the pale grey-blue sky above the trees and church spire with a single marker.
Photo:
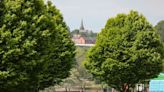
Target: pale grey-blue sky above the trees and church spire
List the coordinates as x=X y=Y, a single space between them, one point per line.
x=95 y=13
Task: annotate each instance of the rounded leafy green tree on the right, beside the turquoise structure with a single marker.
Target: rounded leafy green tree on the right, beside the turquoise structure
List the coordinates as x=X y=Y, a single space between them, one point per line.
x=127 y=51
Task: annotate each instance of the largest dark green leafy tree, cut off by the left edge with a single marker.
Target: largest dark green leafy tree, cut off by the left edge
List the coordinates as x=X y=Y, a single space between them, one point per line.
x=35 y=47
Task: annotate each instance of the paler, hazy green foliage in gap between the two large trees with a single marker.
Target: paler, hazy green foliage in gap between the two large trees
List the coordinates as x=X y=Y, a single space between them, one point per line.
x=78 y=72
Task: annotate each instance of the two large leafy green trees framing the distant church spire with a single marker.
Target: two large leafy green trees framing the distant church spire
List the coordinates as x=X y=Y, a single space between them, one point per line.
x=36 y=50
